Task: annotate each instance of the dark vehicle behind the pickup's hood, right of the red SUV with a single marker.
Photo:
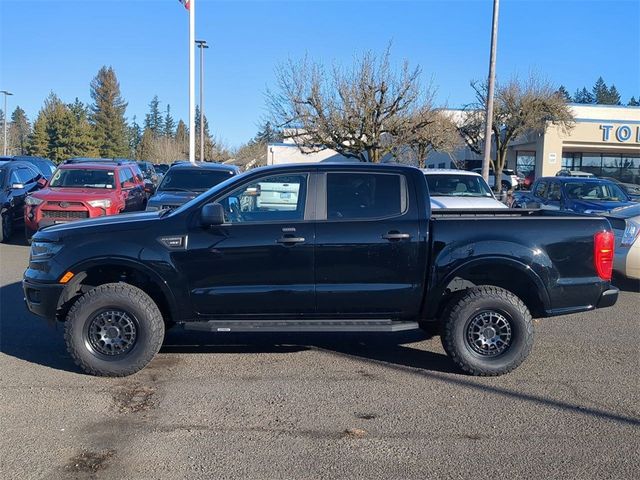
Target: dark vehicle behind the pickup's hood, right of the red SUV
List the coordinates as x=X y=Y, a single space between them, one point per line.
x=184 y=181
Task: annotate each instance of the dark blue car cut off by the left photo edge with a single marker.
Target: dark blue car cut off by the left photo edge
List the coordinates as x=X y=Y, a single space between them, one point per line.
x=17 y=180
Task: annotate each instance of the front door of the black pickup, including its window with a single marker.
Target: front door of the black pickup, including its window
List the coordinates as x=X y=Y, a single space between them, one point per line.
x=259 y=263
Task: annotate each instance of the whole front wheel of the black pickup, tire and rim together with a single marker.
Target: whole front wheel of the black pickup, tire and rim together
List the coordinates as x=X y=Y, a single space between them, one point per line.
x=114 y=330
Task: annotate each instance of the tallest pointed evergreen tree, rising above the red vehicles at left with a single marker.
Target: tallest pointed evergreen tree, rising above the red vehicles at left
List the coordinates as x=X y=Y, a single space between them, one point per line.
x=107 y=114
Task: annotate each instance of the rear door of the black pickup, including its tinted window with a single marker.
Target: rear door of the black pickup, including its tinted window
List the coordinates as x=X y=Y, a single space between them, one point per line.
x=367 y=245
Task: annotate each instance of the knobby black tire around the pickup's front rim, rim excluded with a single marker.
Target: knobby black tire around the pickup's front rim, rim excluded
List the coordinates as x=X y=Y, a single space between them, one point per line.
x=149 y=329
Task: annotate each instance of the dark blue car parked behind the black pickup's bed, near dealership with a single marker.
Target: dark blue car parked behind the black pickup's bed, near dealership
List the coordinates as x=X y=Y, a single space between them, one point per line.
x=580 y=195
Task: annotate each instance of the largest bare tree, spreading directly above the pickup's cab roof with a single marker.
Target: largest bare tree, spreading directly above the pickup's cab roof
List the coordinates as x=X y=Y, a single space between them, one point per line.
x=360 y=112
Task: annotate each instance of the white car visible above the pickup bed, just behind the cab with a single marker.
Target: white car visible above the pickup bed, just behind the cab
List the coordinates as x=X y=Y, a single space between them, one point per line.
x=459 y=189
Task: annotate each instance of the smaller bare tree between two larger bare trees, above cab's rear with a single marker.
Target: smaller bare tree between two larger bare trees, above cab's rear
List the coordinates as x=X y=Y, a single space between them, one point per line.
x=429 y=131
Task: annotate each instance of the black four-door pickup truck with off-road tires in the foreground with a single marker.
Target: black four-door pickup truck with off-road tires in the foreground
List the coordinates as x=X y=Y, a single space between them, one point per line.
x=322 y=247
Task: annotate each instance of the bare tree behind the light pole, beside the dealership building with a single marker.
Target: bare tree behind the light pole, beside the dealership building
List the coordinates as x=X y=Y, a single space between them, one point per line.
x=520 y=108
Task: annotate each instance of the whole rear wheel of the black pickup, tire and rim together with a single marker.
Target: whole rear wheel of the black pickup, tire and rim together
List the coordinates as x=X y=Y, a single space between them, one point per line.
x=487 y=331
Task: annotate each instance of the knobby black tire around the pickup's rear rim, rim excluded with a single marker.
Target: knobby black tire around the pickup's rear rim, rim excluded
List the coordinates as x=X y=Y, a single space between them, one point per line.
x=461 y=311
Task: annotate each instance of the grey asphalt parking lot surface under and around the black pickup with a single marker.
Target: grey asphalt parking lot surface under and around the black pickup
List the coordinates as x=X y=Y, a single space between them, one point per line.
x=317 y=406
